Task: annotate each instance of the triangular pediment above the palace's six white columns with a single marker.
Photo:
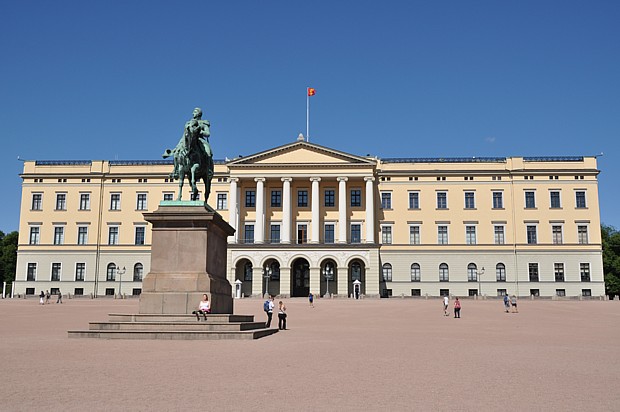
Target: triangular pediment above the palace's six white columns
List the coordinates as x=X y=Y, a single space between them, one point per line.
x=302 y=154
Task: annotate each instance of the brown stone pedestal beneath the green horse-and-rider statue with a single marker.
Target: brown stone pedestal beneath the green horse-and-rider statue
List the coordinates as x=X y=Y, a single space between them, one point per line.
x=188 y=259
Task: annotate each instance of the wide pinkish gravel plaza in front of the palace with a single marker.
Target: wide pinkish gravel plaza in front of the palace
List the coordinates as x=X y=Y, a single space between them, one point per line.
x=341 y=355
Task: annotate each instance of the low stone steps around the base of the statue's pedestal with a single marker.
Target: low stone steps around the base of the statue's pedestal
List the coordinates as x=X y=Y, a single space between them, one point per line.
x=175 y=327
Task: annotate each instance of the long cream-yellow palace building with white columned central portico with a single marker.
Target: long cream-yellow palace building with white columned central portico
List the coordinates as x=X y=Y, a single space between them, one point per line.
x=309 y=218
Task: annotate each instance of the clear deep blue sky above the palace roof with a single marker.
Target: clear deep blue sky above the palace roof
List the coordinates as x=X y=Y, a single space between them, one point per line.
x=118 y=79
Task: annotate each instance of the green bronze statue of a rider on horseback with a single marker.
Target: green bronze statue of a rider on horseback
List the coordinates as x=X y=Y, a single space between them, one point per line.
x=192 y=156
